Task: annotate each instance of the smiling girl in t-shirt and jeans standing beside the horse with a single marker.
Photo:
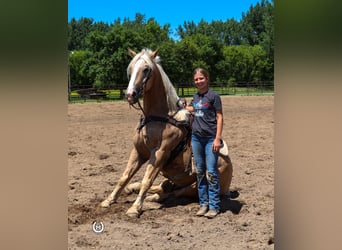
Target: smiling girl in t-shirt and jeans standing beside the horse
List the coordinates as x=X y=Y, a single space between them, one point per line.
x=206 y=142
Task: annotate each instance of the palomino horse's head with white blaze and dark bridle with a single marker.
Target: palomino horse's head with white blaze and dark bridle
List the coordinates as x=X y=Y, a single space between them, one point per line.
x=140 y=71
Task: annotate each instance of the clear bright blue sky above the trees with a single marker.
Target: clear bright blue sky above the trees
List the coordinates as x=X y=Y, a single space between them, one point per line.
x=174 y=12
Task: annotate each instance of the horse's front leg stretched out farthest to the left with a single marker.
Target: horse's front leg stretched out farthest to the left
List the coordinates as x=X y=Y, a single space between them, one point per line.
x=133 y=165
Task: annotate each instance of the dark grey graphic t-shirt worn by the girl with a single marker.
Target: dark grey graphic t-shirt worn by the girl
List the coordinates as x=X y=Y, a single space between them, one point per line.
x=205 y=105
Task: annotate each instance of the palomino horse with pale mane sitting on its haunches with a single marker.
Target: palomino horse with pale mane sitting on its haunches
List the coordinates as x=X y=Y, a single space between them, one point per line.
x=162 y=138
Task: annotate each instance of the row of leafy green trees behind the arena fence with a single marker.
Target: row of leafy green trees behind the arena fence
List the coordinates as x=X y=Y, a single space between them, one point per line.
x=232 y=51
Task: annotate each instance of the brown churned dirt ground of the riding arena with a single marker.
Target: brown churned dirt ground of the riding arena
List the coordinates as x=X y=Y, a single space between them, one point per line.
x=100 y=139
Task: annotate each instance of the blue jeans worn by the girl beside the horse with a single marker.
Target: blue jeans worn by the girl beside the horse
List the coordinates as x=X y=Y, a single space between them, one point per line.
x=206 y=161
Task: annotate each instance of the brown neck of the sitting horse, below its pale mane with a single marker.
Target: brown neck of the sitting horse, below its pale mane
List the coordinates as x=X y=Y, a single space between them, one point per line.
x=155 y=100
